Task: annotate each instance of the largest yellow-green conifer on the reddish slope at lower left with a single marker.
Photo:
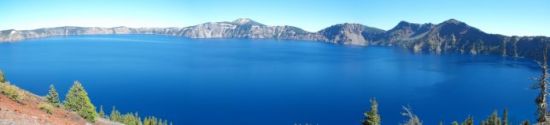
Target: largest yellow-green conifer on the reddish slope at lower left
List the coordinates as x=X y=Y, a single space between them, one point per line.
x=77 y=100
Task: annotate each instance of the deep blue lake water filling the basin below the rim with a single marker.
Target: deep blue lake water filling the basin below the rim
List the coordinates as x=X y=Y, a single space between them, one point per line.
x=267 y=82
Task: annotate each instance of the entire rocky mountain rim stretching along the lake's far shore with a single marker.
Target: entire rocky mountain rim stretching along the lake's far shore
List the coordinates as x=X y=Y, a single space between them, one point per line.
x=451 y=36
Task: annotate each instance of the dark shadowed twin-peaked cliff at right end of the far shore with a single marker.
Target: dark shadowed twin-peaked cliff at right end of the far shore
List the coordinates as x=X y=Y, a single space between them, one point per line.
x=453 y=36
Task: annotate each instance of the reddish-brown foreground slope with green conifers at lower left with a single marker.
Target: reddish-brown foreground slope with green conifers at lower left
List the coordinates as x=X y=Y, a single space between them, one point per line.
x=18 y=106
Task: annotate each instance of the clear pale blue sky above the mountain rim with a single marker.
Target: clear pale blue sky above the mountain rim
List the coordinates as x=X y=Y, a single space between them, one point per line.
x=509 y=17
